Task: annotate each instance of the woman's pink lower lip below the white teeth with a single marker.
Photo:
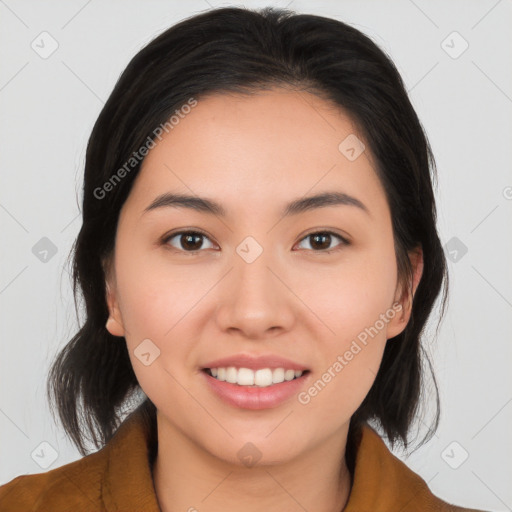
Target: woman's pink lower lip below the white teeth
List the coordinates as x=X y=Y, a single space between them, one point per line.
x=247 y=397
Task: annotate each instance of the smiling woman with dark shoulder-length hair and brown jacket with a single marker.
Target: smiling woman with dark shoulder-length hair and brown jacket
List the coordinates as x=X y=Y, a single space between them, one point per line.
x=258 y=256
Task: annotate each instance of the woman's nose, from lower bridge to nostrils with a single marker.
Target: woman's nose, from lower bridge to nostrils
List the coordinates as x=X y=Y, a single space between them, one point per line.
x=255 y=300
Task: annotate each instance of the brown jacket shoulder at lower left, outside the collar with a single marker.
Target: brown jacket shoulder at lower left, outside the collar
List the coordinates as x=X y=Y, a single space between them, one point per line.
x=77 y=484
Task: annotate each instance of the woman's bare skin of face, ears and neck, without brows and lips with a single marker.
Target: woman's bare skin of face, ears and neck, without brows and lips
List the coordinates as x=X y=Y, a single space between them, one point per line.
x=253 y=155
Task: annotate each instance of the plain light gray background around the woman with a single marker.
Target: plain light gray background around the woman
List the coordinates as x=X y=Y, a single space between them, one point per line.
x=48 y=107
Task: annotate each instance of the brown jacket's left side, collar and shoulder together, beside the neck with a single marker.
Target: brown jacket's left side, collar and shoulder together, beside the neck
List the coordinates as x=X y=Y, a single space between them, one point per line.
x=117 y=477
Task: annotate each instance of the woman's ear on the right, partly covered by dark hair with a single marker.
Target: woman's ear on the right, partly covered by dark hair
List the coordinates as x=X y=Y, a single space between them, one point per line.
x=405 y=294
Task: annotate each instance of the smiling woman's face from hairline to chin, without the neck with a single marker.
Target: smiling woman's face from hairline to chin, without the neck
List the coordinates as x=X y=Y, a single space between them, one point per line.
x=316 y=286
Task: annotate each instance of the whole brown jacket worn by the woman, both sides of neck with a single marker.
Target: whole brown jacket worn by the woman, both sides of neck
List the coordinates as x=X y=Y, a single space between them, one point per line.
x=118 y=478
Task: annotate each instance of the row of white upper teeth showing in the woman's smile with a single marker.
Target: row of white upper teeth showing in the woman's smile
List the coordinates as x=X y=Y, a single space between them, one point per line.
x=247 y=377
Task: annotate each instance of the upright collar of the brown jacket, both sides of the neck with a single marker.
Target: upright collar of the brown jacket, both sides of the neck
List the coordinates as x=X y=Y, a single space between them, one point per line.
x=380 y=480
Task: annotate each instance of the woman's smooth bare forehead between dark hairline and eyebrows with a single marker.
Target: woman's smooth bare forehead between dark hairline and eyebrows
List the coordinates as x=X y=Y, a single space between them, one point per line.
x=253 y=147
